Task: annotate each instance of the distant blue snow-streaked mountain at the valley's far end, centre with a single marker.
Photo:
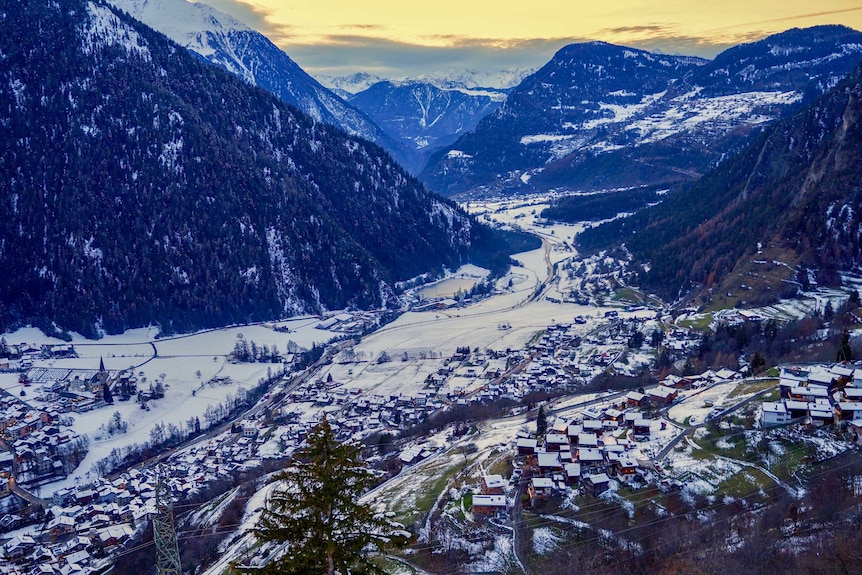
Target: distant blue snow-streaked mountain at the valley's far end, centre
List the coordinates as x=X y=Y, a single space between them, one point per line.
x=423 y=116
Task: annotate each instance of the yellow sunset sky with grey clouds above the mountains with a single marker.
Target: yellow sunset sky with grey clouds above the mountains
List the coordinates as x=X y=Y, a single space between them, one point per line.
x=396 y=39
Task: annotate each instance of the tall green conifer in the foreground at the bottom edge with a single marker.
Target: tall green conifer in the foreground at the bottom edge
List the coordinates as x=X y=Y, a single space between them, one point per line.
x=317 y=513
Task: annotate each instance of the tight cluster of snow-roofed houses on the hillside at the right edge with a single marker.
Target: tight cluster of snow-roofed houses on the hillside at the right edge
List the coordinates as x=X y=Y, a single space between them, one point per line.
x=818 y=395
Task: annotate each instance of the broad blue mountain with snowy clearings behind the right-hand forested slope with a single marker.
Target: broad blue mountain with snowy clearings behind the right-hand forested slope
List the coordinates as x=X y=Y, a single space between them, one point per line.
x=600 y=116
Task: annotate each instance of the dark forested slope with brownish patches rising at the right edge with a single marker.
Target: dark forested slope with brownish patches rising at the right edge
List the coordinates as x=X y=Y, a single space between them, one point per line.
x=794 y=196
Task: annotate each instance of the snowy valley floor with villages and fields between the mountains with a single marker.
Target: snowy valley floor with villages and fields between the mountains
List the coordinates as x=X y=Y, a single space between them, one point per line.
x=227 y=405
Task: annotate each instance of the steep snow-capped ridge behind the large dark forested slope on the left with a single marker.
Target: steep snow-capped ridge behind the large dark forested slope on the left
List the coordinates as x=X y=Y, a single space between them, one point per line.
x=227 y=42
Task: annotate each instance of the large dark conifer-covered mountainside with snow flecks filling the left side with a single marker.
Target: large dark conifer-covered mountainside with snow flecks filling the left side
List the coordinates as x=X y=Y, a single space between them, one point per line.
x=141 y=185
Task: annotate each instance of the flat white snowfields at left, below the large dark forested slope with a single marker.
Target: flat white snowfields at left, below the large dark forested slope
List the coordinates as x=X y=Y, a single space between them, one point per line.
x=188 y=363
